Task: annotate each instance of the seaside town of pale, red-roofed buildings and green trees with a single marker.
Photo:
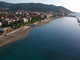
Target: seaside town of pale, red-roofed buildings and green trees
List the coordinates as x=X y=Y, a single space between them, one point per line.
x=10 y=20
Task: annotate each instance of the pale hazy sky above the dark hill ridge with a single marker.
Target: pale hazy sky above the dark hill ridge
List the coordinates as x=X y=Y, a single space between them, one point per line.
x=73 y=5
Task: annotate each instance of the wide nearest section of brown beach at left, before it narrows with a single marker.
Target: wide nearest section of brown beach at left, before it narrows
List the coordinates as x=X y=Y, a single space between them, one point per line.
x=11 y=37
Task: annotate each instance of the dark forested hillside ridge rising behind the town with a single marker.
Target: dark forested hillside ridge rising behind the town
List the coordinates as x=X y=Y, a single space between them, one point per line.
x=39 y=7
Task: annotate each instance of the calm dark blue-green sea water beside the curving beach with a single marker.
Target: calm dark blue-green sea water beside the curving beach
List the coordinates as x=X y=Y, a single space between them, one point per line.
x=57 y=40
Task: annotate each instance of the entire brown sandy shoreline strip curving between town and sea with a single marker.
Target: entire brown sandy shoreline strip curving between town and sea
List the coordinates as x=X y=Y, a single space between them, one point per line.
x=21 y=32
